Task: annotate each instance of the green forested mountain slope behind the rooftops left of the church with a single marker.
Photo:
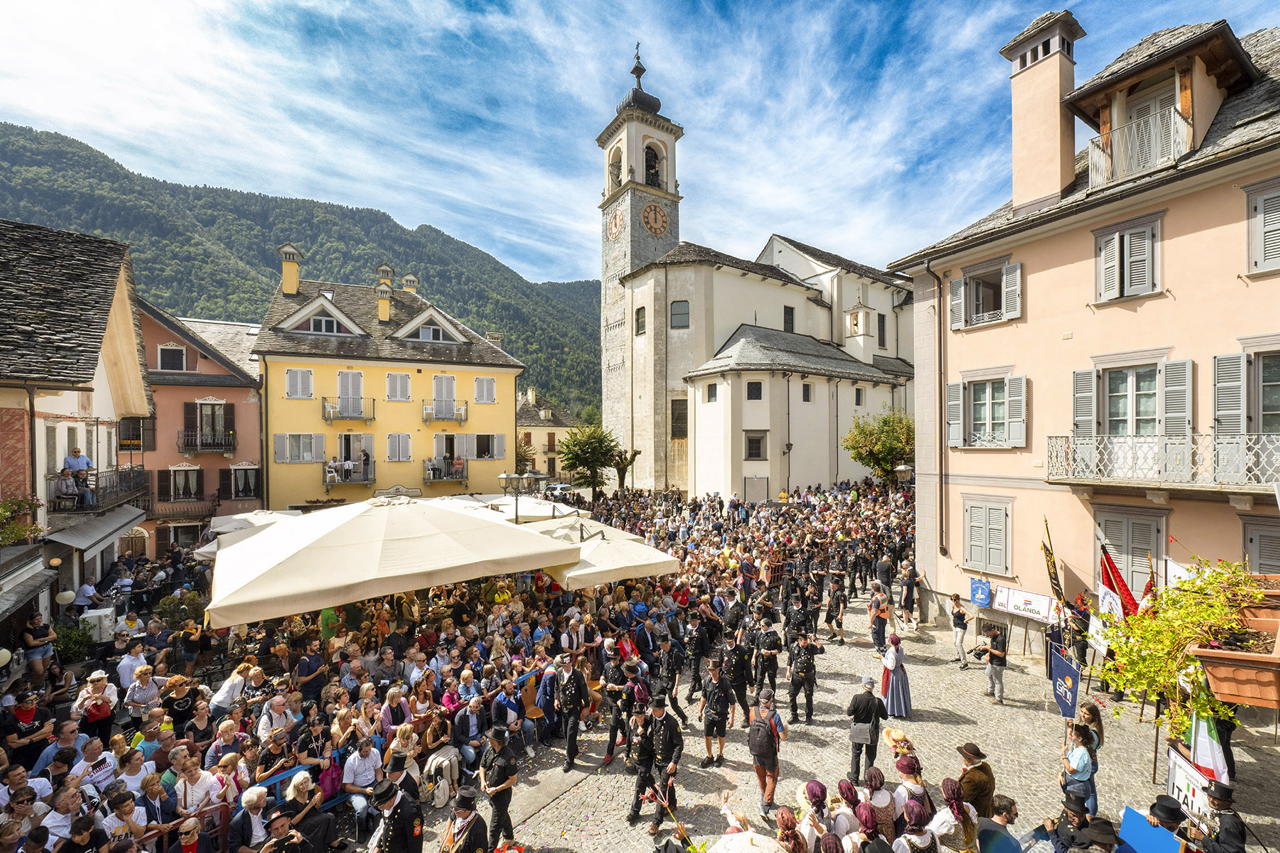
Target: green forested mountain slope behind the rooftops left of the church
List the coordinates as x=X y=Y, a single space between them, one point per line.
x=211 y=253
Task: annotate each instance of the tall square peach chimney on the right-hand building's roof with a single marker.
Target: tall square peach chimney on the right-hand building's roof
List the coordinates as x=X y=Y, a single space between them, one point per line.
x=1044 y=130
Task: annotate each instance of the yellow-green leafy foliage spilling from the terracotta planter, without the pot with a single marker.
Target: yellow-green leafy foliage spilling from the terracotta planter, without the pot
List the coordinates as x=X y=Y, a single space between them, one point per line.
x=1154 y=650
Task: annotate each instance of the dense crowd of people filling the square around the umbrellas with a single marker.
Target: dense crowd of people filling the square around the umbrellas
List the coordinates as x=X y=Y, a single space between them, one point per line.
x=433 y=699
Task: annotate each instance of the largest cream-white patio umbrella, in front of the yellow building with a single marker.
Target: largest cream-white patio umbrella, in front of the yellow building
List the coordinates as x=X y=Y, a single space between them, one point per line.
x=377 y=548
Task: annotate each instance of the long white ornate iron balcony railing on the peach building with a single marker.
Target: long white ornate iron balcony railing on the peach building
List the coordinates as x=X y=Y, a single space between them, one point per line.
x=1200 y=460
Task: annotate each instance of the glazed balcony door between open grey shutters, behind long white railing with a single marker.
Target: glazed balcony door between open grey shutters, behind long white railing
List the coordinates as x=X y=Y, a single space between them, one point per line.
x=1131 y=423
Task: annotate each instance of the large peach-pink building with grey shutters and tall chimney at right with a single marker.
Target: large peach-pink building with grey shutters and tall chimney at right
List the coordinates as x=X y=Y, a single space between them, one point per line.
x=1104 y=352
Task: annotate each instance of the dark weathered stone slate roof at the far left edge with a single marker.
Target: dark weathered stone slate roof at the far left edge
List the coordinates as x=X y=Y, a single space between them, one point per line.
x=57 y=290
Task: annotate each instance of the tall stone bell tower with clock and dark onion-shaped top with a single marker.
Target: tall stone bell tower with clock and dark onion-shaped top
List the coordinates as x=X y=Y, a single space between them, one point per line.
x=639 y=225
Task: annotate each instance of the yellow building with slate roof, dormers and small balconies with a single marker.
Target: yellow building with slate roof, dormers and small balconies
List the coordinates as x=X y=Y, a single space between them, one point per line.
x=374 y=390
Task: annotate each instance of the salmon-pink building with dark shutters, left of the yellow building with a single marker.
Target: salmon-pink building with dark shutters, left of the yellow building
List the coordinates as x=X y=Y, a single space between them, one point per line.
x=203 y=445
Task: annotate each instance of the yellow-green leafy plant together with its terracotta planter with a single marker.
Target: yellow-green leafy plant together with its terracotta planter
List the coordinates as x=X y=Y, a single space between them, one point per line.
x=1185 y=635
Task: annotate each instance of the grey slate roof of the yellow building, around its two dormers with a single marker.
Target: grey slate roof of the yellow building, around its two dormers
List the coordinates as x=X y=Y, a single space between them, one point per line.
x=360 y=304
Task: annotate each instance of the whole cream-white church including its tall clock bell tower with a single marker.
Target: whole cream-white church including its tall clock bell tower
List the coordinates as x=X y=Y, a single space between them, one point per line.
x=733 y=376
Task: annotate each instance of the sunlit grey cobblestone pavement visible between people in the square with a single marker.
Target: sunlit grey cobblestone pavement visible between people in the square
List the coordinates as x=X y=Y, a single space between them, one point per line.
x=586 y=810
